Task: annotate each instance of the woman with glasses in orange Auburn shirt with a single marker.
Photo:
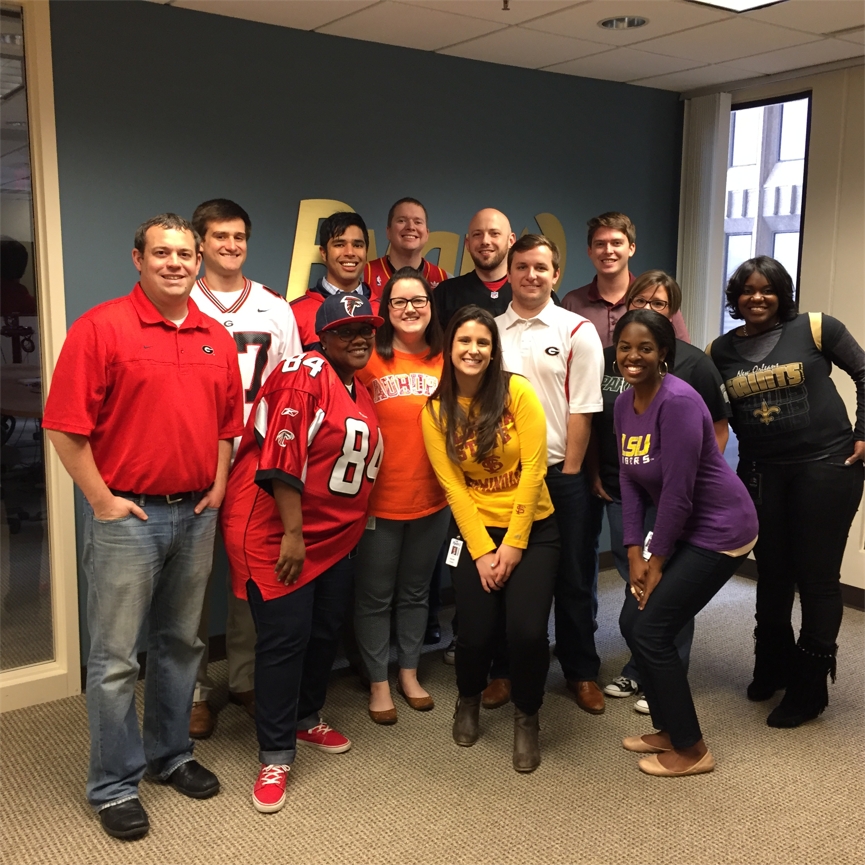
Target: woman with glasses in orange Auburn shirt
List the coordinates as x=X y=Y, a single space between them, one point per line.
x=408 y=516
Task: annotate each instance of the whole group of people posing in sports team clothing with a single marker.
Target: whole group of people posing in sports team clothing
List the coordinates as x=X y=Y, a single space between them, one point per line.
x=394 y=418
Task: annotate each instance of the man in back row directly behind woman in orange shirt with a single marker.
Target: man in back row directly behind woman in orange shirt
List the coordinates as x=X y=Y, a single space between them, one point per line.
x=407 y=233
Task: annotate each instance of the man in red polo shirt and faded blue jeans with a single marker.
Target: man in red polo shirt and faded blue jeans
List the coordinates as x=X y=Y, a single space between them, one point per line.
x=144 y=405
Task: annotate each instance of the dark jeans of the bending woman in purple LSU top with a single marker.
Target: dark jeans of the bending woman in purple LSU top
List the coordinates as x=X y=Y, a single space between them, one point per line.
x=692 y=577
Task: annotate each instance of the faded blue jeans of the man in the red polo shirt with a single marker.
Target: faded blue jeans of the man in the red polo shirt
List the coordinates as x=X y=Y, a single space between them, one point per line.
x=139 y=573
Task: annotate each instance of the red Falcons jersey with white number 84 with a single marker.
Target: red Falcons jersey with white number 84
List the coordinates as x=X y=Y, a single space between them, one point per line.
x=306 y=431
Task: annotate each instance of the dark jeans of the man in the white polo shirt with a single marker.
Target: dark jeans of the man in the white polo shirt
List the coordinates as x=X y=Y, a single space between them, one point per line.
x=576 y=587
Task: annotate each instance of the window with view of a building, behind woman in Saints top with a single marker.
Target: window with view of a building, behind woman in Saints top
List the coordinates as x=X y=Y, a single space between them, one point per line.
x=765 y=186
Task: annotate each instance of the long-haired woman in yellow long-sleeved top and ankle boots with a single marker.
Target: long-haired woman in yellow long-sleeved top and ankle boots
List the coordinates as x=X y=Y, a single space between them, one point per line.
x=486 y=437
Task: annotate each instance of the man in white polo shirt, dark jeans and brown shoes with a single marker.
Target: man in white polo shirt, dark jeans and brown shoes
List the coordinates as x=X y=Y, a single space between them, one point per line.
x=560 y=353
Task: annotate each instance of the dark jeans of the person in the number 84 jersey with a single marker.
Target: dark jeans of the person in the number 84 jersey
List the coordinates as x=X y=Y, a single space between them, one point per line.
x=297 y=640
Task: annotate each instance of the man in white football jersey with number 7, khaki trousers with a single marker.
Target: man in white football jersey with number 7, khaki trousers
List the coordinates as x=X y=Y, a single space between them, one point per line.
x=265 y=333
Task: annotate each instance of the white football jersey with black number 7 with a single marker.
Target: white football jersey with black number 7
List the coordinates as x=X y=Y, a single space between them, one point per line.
x=263 y=327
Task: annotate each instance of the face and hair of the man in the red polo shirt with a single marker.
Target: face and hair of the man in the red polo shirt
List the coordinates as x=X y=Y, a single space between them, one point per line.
x=168 y=266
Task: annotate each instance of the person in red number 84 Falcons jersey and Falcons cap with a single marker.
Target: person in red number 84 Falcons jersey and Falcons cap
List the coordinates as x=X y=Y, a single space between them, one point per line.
x=294 y=512
